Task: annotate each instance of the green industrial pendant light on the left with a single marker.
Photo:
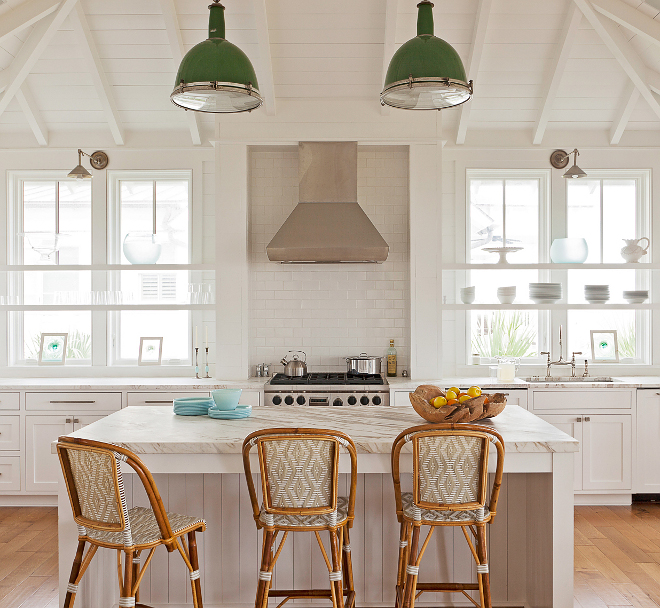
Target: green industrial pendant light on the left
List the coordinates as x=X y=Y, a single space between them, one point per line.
x=215 y=75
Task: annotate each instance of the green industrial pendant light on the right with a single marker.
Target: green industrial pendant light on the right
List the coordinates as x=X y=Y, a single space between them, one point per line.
x=426 y=73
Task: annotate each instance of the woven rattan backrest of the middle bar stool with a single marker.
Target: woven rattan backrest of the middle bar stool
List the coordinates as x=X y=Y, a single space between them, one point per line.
x=299 y=470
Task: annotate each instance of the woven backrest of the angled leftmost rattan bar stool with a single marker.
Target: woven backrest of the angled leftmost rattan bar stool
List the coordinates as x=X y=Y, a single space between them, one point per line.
x=95 y=485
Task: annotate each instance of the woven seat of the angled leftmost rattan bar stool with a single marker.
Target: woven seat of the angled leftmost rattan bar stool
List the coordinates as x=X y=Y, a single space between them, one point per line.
x=144 y=528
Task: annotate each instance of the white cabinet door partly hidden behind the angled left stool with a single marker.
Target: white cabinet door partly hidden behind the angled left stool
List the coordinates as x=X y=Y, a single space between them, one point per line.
x=42 y=468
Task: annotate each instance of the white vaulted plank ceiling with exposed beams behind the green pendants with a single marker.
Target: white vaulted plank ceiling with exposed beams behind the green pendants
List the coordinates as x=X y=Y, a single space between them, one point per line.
x=107 y=67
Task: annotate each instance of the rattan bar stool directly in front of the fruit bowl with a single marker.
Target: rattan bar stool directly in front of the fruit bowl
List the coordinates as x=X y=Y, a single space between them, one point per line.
x=450 y=486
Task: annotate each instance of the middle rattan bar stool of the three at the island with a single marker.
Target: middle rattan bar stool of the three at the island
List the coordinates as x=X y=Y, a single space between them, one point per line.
x=299 y=476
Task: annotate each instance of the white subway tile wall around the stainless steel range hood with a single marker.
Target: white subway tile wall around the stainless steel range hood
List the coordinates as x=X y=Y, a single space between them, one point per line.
x=329 y=311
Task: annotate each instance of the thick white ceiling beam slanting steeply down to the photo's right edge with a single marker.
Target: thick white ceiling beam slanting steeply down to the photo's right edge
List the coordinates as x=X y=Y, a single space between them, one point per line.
x=623 y=52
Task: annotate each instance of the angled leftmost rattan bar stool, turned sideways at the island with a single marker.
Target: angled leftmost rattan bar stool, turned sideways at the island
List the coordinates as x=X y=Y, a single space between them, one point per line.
x=95 y=486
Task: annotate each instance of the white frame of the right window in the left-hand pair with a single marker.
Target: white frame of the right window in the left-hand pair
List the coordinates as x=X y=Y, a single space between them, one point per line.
x=114 y=255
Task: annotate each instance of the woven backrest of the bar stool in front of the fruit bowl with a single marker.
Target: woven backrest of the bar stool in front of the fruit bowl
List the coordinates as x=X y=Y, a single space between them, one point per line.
x=450 y=466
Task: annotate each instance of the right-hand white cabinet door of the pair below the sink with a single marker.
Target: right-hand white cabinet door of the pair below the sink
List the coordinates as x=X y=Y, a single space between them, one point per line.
x=607 y=452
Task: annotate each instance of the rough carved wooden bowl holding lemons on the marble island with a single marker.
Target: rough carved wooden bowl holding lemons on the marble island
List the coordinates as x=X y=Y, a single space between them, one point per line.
x=477 y=408
